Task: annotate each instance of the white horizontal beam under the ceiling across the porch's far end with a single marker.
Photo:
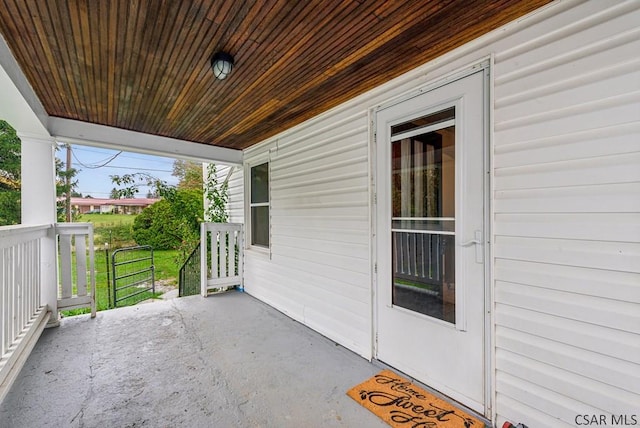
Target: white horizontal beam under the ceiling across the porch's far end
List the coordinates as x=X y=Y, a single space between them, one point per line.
x=89 y=134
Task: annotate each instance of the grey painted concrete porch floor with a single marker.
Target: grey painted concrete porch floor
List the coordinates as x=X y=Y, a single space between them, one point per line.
x=225 y=361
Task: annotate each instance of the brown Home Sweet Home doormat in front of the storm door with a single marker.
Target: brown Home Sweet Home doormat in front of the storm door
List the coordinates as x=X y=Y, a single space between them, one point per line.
x=400 y=403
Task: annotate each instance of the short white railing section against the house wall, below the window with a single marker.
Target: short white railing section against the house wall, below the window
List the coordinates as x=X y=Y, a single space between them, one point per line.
x=221 y=256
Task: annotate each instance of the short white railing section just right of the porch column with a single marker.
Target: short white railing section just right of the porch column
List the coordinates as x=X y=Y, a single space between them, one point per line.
x=79 y=290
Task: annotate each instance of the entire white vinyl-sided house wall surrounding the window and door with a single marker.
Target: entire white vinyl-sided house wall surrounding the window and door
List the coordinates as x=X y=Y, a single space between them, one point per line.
x=565 y=216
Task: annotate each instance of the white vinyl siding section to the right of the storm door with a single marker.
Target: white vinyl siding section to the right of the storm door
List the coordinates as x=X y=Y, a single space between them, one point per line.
x=567 y=222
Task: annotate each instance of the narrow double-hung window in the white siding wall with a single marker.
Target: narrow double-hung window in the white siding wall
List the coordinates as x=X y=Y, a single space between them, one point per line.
x=260 y=205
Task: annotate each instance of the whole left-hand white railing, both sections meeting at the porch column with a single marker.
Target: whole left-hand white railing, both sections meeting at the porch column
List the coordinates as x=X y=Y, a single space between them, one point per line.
x=26 y=252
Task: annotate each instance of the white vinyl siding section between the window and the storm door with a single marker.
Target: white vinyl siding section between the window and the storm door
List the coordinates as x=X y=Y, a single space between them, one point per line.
x=319 y=266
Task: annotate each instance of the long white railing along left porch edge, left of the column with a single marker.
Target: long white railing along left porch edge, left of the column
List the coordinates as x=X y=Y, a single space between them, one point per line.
x=22 y=314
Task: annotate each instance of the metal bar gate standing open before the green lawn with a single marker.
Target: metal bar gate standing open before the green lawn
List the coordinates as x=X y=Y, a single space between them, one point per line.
x=133 y=274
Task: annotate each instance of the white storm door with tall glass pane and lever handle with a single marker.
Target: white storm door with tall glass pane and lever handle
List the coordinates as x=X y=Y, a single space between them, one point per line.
x=430 y=238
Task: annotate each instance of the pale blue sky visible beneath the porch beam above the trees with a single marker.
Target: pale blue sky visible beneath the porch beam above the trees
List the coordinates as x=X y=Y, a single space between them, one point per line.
x=97 y=164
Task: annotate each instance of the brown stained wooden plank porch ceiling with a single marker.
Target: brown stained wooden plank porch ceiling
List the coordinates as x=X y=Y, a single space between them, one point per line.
x=143 y=65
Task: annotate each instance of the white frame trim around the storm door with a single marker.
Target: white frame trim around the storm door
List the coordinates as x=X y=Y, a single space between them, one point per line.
x=485 y=66
